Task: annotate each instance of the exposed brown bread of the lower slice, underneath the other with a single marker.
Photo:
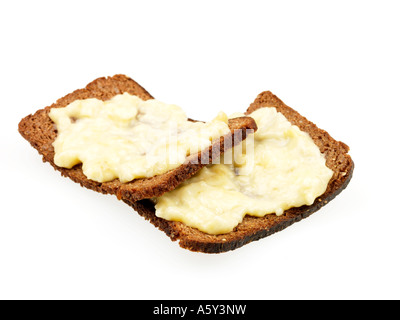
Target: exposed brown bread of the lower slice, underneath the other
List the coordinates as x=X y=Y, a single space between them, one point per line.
x=253 y=228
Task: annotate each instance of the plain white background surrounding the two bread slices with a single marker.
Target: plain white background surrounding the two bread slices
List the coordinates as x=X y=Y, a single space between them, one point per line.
x=336 y=62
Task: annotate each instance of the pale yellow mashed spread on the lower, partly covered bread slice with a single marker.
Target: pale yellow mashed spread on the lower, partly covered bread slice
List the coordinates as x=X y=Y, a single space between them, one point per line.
x=285 y=170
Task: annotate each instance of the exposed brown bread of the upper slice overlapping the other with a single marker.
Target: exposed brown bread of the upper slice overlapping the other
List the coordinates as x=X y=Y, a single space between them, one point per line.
x=41 y=132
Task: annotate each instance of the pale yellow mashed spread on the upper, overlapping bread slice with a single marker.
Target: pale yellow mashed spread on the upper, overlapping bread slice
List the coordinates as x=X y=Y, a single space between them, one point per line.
x=128 y=138
